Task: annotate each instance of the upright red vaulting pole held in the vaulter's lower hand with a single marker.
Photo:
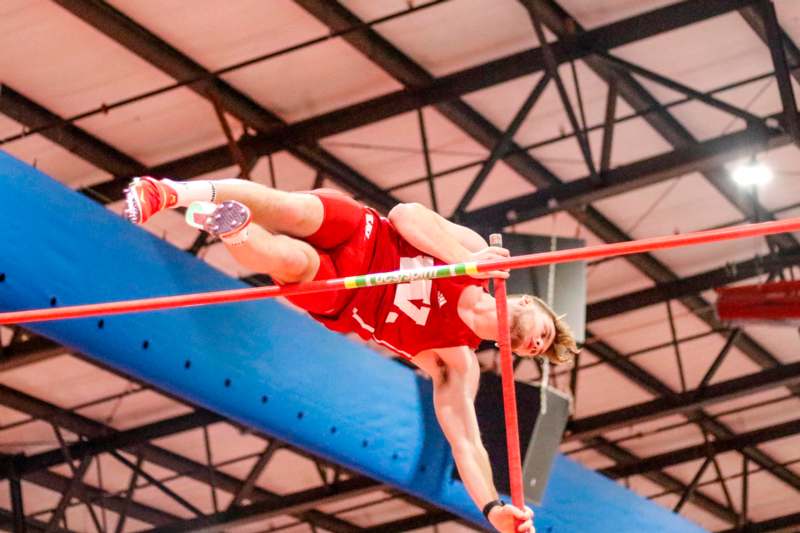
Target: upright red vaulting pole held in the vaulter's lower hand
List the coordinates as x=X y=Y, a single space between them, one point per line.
x=509 y=392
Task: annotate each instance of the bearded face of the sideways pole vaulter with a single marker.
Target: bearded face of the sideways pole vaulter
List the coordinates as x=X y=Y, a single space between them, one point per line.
x=532 y=329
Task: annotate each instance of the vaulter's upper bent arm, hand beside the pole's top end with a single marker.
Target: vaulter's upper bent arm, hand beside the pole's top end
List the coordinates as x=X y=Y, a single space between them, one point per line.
x=431 y=233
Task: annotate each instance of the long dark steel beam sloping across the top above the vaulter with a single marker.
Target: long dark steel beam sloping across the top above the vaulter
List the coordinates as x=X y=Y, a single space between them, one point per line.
x=443 y=89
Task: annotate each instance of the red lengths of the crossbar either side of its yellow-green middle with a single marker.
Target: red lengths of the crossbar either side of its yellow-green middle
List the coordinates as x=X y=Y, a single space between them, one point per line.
x=522 y=261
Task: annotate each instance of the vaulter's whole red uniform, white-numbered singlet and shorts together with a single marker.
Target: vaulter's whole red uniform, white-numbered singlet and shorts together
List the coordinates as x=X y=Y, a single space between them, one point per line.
x=407 y=318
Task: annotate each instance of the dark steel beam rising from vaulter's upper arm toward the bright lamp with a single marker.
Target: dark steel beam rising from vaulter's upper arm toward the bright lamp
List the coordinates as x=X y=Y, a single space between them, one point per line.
x=581 y=192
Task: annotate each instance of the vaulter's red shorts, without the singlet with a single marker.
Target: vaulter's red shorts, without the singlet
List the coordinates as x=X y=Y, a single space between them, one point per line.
x=342 y=248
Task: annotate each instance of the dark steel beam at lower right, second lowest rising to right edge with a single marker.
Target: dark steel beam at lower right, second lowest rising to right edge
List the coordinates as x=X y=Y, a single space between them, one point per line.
x=714 y=447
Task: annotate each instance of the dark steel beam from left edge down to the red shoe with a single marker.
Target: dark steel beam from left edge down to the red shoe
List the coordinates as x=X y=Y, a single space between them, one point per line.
x=72 y=138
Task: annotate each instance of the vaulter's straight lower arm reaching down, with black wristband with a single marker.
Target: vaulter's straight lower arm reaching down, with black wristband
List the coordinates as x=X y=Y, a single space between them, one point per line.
x=455 y=374
